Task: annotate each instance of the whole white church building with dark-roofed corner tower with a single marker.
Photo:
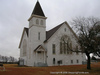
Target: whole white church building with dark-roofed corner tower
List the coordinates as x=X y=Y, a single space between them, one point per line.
x=39 y=47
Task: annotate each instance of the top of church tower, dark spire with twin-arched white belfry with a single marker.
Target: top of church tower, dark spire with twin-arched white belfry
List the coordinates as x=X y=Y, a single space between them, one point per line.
x=37 y=17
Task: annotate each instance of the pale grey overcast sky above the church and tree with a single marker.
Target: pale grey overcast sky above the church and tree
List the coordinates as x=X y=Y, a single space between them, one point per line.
x=15 y=13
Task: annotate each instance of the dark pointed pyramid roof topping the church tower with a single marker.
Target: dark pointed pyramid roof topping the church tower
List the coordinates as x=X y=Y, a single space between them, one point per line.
x=38 y=10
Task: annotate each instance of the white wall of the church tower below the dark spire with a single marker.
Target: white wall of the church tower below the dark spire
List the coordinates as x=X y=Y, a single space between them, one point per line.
x=33 y=38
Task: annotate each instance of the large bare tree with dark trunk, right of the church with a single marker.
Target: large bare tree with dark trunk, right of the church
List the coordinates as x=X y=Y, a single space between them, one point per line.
x=88 y=31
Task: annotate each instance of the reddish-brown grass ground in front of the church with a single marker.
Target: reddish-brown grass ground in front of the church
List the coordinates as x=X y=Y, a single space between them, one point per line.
x=13 y=69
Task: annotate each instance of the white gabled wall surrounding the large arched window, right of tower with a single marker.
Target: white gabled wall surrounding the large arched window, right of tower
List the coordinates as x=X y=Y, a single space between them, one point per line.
x=66 y=58
